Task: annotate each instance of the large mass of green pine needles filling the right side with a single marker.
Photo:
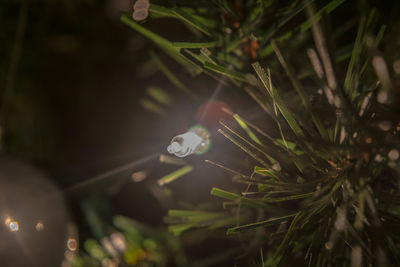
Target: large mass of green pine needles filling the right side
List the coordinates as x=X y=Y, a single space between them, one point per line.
x=327 y=192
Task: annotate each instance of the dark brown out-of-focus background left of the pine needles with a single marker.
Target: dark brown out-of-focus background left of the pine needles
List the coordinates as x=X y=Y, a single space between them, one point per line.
x=76 y=102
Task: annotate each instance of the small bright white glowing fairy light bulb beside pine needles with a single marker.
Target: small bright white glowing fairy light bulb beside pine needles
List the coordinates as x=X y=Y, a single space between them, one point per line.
x=194 y=141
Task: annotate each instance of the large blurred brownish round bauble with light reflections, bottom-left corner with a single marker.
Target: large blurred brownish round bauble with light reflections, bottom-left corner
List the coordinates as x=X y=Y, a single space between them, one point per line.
x=33 y=217
